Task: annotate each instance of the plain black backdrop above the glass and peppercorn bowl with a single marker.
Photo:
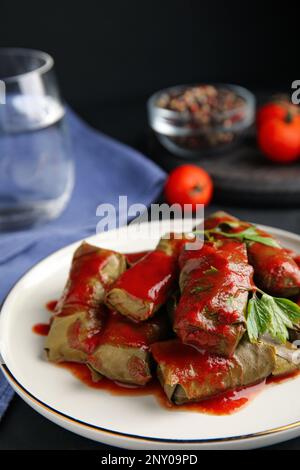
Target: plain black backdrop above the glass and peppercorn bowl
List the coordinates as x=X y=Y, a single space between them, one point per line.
x=108 y=51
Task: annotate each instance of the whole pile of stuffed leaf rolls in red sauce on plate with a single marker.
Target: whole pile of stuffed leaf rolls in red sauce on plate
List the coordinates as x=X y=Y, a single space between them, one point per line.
x=112 y=314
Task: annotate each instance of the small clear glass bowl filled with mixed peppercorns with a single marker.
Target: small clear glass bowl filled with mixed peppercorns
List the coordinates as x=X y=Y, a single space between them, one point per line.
x=195 y=120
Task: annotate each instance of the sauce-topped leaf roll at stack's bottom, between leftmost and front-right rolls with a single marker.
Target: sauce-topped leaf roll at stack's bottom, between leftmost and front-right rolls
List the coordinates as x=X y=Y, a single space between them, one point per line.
x=123 y=351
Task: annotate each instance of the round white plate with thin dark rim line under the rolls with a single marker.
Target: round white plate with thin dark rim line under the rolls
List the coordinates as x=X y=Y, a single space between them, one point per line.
x=129 y=422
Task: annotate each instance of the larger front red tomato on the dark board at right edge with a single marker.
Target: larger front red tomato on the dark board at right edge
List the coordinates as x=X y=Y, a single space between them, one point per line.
x=279 y=139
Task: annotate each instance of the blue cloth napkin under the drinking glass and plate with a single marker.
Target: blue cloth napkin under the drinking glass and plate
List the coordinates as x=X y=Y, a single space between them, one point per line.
x=104 y=170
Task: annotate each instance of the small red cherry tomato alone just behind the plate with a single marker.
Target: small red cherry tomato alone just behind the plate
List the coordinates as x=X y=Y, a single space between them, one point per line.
x=189 y=184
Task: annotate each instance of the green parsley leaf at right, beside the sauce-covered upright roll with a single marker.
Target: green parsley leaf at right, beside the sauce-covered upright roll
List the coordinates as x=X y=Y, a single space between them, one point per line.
x=271 y=315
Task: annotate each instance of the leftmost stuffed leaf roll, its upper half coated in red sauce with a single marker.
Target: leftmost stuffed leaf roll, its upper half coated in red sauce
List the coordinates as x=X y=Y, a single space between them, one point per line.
x=79 y=317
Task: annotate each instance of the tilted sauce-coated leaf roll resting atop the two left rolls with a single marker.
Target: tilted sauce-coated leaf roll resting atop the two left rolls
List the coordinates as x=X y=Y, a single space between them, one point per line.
x=144 y=288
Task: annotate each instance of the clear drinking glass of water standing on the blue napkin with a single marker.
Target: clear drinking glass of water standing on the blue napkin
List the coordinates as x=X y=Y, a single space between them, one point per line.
x=36 y=168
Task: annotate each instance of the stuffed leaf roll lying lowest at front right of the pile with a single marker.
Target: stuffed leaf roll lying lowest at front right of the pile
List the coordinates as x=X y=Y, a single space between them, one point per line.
x=188 y=375
